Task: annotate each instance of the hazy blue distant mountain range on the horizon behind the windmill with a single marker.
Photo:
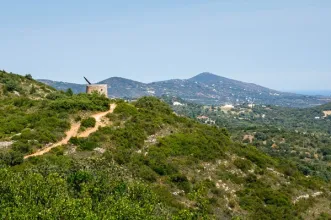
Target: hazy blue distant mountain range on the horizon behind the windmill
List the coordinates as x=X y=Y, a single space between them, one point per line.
x=205 y=88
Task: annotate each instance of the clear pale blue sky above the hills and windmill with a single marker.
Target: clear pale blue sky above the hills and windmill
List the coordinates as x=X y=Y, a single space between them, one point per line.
x=280 y=44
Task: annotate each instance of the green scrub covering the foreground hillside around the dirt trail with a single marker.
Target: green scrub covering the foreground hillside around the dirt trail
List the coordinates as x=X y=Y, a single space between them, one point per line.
x=154 y=164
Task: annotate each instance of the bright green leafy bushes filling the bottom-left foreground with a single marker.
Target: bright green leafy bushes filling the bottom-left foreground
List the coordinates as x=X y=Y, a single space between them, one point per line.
x=69 y=191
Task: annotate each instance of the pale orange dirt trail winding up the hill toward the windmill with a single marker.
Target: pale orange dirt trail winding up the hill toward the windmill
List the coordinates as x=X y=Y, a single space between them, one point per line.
x=74 y=131
